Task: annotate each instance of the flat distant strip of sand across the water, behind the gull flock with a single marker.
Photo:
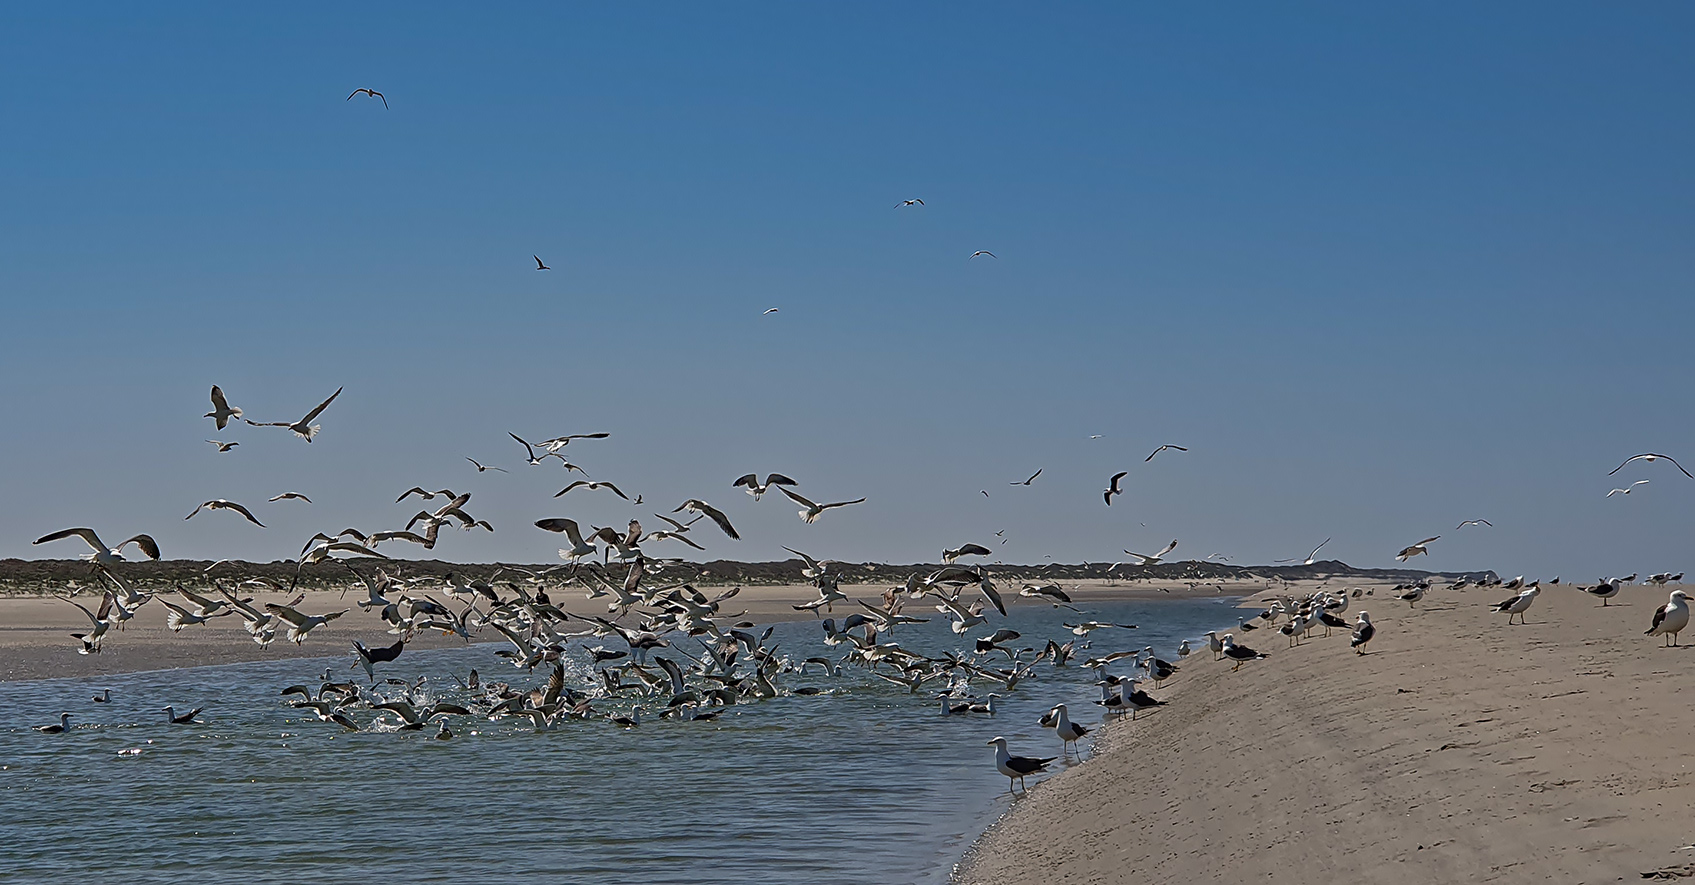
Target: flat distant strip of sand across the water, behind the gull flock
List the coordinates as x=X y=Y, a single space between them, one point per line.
x=36 y=630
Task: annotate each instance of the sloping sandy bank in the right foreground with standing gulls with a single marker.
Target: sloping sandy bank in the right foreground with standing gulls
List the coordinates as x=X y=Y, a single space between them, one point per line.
x=1459 y=750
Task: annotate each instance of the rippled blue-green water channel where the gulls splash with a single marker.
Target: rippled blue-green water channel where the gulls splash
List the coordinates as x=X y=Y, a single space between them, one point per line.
x=865 y=784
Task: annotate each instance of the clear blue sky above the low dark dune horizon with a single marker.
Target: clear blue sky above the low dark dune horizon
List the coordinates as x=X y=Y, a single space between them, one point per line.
x=1381 y=270
